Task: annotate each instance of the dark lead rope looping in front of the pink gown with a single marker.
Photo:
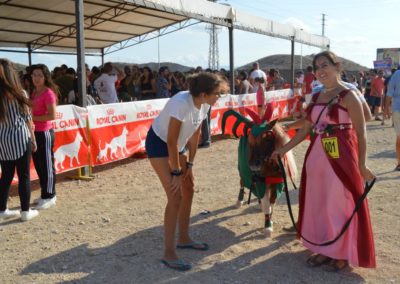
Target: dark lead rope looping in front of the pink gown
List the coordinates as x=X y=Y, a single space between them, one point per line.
x=367 y=188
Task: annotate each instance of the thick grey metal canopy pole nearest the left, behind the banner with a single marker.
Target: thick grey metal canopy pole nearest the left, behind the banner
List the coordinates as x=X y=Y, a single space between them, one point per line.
x=80 y=48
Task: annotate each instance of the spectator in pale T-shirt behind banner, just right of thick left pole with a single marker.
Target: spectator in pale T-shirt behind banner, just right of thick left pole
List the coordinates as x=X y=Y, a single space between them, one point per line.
x=105 y=83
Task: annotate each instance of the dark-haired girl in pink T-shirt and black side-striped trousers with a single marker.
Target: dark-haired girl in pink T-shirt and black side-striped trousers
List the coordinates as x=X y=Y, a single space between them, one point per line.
x=44 y=112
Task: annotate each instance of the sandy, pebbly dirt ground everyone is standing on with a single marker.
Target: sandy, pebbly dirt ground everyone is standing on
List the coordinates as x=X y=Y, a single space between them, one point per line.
x=109 y=230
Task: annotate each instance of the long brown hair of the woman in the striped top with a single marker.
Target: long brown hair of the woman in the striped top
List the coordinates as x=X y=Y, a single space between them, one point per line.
x=11 y=88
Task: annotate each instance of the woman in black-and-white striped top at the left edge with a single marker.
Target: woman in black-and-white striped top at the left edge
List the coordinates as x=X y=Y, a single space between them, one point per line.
x=16 y=142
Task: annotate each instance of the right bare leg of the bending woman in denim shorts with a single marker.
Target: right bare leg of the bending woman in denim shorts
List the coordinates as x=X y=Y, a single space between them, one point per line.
x=185 y=206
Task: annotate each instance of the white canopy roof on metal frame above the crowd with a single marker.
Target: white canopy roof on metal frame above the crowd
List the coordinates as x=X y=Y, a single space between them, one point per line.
x=50 y=25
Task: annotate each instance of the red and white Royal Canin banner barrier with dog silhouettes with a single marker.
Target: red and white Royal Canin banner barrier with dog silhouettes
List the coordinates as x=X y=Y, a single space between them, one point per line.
x=100 y=134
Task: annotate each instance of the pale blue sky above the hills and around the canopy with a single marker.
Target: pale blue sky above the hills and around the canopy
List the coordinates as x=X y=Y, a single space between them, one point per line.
x=356 y=29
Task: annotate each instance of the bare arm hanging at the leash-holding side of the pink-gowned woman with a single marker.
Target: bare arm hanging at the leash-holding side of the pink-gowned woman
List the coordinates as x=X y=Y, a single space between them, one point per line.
x=354 y=108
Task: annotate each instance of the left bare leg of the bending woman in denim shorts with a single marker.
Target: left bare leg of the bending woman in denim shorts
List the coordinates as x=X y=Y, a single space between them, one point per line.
x=162 y=169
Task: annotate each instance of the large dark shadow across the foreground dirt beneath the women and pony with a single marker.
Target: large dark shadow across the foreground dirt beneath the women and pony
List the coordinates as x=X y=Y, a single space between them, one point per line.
x=136 y=259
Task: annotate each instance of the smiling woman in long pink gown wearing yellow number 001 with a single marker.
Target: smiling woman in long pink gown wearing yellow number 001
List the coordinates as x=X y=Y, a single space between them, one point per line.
x=334 y=173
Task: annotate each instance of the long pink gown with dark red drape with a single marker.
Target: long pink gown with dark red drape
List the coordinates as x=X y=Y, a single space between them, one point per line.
x=330 y=188
